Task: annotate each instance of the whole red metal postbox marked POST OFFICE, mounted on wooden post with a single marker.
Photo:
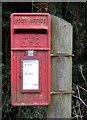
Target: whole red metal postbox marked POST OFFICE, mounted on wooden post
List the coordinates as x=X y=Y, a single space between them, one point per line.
x=30 y=59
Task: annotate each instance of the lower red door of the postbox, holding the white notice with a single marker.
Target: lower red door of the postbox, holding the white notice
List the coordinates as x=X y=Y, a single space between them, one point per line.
x=38 y=95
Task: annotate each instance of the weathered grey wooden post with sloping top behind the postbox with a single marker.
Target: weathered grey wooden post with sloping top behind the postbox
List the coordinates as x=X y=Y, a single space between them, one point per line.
x=61 y=69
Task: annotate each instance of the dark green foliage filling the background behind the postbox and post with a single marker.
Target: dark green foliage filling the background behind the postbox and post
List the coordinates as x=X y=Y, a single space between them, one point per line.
x=75 y=13
